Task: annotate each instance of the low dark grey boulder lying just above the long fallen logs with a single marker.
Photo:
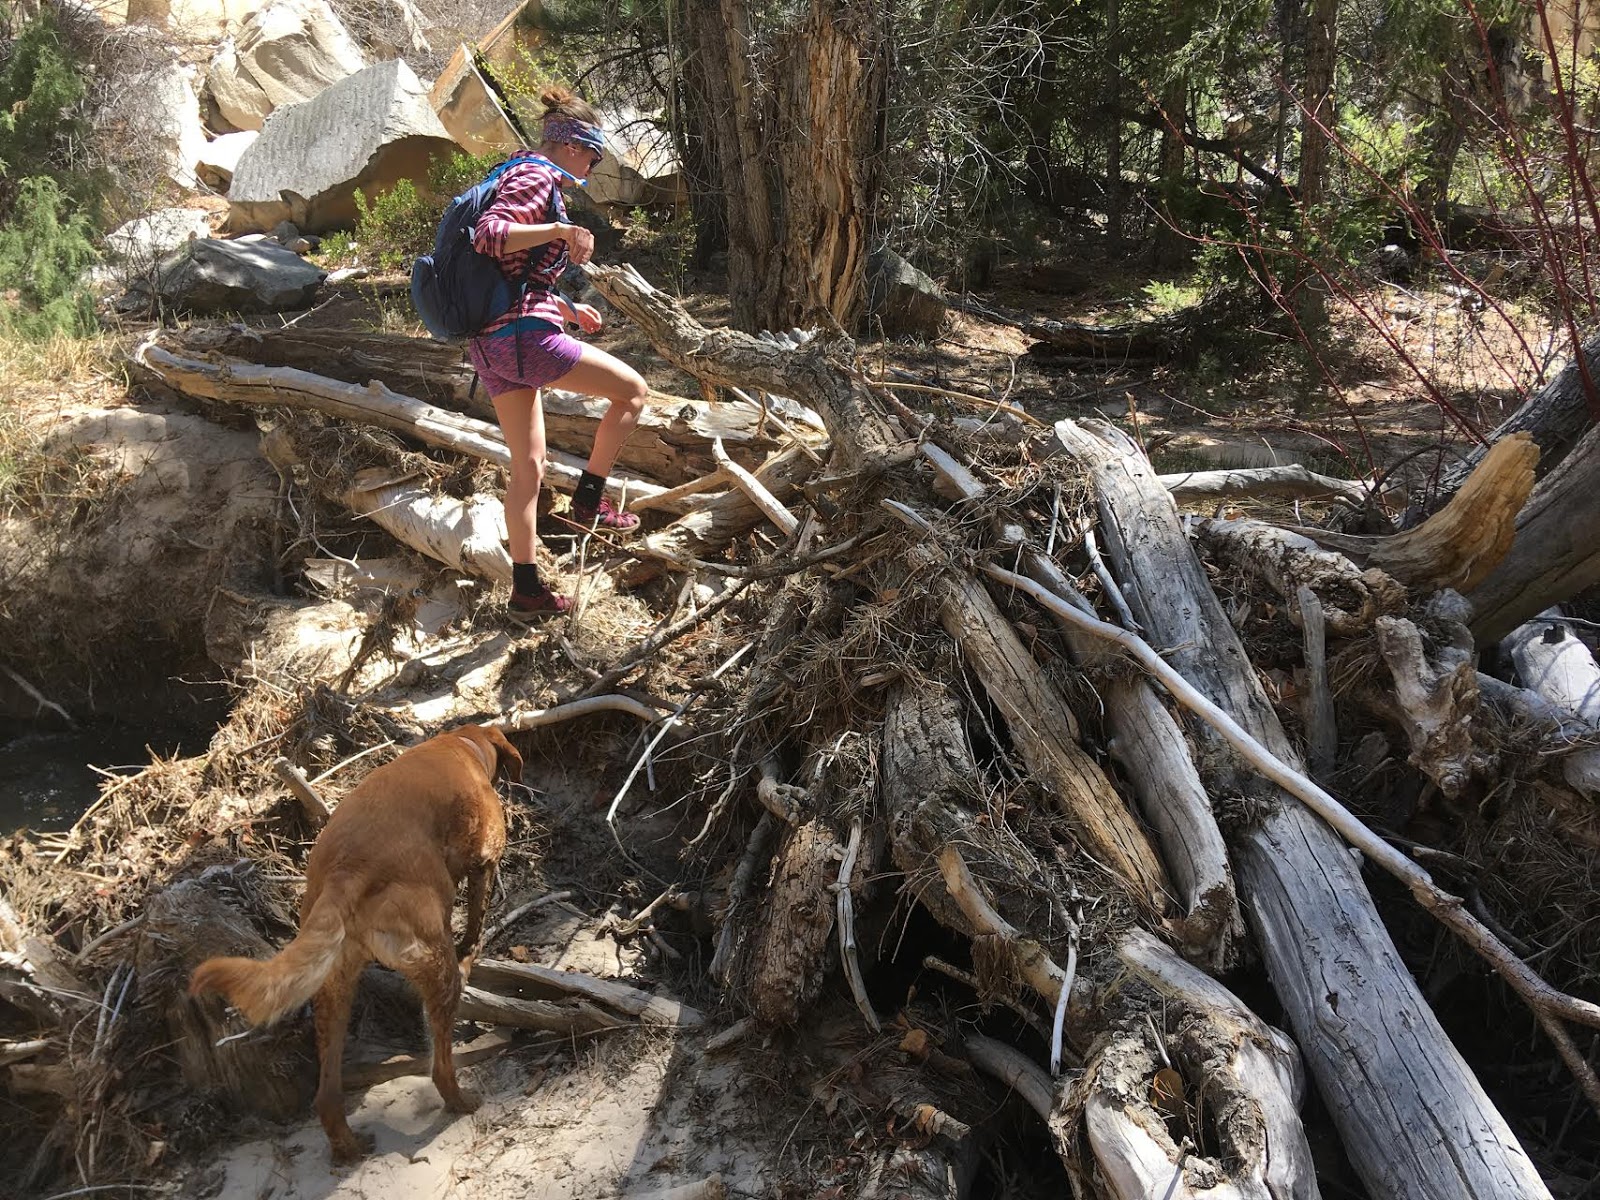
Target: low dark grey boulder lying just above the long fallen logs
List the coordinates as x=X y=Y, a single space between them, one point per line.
x=209 y=276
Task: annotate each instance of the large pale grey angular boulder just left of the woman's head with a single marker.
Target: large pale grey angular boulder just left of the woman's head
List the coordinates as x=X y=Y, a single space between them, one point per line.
x=367 y=132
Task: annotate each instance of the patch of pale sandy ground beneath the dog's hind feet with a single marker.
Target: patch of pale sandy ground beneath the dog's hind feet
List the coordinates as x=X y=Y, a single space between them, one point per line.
x=626 y=1116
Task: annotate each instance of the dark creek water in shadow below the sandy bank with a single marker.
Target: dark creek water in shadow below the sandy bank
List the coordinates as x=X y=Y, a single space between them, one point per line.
x=47 y=774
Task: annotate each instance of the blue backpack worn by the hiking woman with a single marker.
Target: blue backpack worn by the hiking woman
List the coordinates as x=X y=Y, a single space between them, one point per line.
x=458 y=290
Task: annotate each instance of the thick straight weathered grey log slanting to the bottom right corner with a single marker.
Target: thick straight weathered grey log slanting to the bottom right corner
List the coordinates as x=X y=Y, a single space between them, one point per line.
x=1412 y=1116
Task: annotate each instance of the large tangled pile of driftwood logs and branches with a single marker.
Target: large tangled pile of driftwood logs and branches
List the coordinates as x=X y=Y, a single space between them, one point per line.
x=985 y=671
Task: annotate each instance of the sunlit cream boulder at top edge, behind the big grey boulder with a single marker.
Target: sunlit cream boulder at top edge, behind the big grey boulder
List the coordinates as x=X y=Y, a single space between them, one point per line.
x=286 y=54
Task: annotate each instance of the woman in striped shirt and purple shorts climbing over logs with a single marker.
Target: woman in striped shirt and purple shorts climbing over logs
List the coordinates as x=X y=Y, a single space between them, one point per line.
x=526 y=230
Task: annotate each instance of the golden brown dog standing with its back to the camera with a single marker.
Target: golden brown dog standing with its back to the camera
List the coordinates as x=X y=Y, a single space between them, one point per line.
x=380 y=886
